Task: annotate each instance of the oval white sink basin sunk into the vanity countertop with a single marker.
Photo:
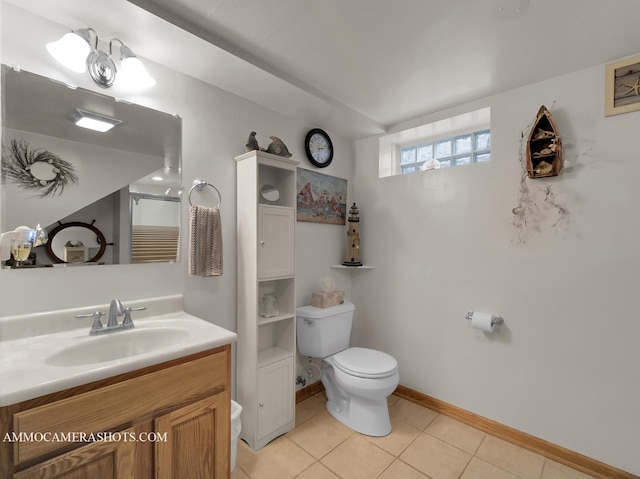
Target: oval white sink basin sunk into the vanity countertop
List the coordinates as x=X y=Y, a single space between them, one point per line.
x=118 y=345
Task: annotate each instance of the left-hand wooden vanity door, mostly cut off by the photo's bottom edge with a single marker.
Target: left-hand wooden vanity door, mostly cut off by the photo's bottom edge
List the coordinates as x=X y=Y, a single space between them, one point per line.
x=98 y=460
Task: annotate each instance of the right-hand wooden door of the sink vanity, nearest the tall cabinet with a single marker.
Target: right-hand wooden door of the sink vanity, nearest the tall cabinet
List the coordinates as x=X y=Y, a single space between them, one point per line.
x=198 y=440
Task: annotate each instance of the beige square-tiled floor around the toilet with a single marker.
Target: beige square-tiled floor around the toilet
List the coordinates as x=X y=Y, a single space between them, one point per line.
x=422 y=445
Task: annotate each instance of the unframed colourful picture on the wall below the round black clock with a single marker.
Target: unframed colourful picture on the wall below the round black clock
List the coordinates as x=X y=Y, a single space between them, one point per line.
x=321 y=198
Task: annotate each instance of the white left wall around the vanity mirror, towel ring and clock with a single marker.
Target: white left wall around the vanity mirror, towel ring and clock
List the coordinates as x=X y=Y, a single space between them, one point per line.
x=215 y=128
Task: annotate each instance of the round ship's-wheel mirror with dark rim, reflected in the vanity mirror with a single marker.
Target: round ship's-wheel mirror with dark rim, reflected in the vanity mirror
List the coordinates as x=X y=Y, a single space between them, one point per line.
x=75 y=243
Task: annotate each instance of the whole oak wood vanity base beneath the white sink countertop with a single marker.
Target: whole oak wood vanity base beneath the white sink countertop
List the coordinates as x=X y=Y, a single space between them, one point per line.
x=166 y=421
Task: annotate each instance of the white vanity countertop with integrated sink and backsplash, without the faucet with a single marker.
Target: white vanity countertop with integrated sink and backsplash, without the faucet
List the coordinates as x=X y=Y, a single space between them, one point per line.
x=42 y=353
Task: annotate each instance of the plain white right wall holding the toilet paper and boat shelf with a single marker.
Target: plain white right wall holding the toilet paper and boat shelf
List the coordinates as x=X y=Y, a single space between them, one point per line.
x=564 y=366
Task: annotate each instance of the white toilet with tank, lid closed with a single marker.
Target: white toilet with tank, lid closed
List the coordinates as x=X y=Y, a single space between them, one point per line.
x=357 y=380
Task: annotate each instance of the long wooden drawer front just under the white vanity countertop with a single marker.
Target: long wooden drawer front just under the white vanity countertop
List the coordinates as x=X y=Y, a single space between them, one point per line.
x=114 y=407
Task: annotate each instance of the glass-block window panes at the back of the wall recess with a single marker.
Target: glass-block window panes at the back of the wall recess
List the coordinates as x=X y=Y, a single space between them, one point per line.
x=444 y=153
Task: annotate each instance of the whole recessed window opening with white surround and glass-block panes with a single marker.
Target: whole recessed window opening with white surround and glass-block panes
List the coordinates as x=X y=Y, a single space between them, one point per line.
x=450 y=141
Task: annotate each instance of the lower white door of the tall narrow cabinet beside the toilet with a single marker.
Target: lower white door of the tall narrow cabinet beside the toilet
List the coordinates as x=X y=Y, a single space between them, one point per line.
x=275 y=396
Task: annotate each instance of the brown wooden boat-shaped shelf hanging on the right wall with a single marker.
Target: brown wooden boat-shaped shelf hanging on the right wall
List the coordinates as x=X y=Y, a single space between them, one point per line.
x=544 y=147
